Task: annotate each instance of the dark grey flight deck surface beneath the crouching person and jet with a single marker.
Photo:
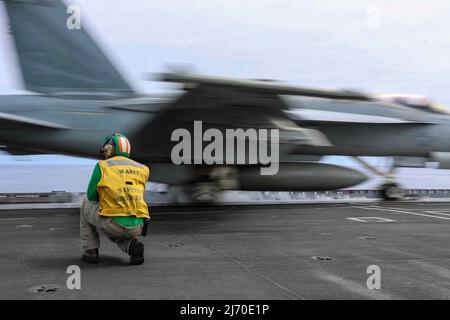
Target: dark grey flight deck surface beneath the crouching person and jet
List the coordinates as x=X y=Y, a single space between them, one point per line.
x=239 y=252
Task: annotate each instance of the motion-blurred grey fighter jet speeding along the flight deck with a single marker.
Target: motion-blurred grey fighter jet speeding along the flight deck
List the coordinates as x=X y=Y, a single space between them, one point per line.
x=79 y=97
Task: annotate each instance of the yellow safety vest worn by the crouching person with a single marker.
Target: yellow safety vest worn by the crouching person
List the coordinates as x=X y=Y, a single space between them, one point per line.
x=121 y=188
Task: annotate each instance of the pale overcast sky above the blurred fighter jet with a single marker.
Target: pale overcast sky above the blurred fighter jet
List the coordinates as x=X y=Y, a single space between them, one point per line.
x=374 y=46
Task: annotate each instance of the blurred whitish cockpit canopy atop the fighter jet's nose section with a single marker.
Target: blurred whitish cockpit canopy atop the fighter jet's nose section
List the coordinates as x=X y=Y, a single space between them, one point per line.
x=415 y=101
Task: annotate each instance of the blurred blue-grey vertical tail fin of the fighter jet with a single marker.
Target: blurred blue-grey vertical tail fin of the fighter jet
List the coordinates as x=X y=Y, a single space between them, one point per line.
x=55 y=59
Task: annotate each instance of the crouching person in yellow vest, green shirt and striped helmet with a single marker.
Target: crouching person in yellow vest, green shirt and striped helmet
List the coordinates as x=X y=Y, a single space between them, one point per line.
x=115 y=202
